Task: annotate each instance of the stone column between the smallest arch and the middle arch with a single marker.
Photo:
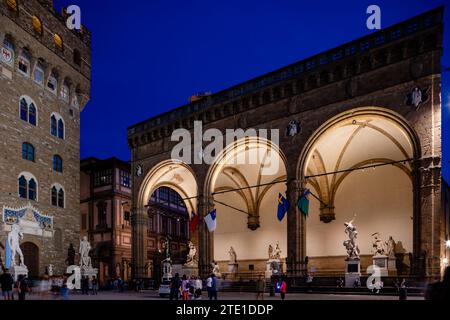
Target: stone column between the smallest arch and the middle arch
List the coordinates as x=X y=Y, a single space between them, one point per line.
x=205 y=238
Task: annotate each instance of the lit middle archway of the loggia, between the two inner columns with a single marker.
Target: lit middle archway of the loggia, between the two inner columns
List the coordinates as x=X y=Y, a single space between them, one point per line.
x=245 y=182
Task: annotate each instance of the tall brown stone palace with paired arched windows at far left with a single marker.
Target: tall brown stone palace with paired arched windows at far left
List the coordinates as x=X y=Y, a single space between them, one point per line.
x=44 y=85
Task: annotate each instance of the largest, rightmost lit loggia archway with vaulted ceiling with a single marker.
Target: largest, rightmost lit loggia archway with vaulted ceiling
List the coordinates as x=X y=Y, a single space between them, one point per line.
x=360 y=163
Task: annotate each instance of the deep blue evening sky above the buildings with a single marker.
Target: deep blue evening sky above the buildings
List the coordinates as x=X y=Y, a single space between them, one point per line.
x=148 y=56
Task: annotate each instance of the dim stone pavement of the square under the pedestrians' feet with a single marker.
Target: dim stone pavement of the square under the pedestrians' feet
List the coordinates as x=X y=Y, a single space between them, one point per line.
x=153 y=295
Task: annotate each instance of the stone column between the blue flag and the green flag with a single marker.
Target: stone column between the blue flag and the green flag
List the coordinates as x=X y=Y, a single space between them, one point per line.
x=295 y=231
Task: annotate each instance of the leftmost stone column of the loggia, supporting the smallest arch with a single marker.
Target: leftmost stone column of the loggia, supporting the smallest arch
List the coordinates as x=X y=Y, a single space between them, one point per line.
x=139 y=226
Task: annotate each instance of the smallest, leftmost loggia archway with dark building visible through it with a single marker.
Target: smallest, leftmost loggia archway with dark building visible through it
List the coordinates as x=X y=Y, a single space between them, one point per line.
x=176 y=183
